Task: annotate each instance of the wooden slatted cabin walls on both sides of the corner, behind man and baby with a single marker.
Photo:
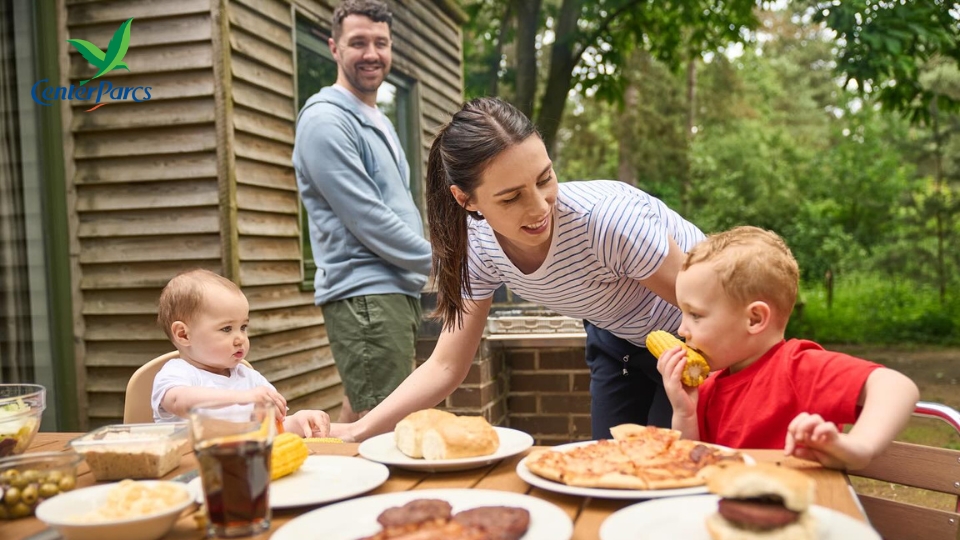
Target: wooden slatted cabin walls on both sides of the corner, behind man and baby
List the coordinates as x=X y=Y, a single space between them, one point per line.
x=200 y=176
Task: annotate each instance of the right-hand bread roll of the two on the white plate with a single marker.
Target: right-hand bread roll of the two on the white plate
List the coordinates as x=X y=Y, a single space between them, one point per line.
x=460 y=437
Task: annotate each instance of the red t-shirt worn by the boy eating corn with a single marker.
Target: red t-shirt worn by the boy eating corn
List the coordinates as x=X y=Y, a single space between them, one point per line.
x=753 y=407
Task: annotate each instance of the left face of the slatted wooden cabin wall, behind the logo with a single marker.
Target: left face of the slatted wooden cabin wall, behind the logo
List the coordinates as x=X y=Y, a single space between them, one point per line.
x=145 y=177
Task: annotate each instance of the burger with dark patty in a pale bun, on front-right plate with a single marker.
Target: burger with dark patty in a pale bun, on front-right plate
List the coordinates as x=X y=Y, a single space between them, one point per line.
x=762 y=502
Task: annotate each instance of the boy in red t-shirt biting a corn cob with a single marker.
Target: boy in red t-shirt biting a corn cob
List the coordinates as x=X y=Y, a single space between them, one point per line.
x=736 y=290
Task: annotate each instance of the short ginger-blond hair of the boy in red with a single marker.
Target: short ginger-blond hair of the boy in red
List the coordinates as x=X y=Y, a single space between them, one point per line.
x=752 y=264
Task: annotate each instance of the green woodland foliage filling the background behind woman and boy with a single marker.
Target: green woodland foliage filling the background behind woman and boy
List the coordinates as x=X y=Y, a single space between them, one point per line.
x=859 y=191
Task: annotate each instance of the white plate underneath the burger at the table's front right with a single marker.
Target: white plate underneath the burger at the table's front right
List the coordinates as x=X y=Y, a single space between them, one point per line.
x=684 y=517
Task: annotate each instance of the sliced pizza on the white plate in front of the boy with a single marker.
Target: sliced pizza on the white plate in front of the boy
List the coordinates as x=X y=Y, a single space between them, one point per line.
x=638 y=457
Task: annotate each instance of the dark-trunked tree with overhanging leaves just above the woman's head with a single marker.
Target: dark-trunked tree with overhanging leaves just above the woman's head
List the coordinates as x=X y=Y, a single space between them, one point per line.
x=589 y=40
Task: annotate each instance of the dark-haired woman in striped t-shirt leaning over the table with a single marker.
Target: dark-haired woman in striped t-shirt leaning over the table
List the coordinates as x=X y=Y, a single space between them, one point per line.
x=601 y=251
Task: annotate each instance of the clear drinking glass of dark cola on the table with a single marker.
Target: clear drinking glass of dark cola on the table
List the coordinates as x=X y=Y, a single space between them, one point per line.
x=233 y=443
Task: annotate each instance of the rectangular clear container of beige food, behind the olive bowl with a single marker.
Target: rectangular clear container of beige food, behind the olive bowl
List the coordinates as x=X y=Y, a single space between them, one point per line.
x=132 y=450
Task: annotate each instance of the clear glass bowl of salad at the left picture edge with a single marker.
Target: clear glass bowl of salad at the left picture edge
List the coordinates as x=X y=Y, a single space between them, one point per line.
x=20 y=408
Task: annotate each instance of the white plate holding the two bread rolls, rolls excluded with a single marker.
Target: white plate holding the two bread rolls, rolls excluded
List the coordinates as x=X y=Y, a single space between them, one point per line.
x=383 y=449
